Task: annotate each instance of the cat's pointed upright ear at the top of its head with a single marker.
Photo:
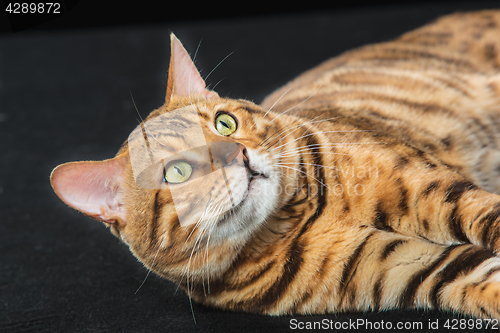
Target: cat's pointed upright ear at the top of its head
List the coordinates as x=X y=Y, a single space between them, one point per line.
x=183 y=77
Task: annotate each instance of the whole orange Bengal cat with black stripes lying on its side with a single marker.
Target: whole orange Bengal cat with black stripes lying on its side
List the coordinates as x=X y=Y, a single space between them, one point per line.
x=367 y=183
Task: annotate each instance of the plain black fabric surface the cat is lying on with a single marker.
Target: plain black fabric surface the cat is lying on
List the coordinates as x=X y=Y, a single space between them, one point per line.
x=66 y=95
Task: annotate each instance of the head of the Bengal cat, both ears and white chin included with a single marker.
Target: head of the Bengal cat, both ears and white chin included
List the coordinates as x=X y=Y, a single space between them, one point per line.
x=192 y=183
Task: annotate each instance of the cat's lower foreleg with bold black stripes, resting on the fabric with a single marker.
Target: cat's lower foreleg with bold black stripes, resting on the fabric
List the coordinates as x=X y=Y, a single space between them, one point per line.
x=388 y=271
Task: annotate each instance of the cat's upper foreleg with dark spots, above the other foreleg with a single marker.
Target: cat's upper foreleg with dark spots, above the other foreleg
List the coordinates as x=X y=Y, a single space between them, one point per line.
x=432 y=201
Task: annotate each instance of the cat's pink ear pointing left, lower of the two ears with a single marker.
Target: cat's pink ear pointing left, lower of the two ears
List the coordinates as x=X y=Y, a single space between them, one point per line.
x=92 y=188
